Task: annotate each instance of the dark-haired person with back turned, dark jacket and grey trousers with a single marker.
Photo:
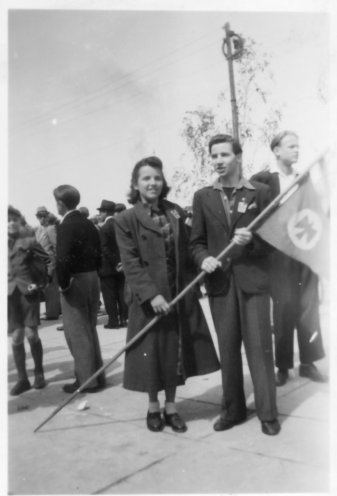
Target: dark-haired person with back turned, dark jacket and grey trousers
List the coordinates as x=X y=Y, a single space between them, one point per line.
x=77 y=261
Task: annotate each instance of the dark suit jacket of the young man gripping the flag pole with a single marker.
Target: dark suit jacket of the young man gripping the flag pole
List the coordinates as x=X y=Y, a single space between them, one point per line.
x=211 y=233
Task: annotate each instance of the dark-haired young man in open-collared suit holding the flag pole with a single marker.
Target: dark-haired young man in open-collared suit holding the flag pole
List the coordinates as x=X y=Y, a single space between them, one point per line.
x=237 y=286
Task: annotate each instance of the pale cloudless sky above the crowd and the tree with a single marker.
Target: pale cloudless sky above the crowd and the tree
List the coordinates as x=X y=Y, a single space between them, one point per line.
x=92 y=92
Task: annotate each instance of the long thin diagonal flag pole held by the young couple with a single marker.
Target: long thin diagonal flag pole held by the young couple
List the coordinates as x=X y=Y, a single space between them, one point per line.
x=261 y=217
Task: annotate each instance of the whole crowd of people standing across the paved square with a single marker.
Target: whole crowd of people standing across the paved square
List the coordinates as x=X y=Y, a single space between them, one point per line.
x=141 y=258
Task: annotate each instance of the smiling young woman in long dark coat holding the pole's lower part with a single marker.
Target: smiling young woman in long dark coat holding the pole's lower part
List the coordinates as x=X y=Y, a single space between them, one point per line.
x=153 y=243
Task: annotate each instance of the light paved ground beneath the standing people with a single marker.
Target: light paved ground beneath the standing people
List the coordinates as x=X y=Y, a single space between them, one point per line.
x=107 y=449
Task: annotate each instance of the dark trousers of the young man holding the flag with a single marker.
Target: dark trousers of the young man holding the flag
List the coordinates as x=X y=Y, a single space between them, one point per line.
x=239 y=317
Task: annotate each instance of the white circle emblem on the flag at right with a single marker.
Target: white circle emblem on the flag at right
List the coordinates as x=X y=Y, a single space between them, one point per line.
x=305 y=229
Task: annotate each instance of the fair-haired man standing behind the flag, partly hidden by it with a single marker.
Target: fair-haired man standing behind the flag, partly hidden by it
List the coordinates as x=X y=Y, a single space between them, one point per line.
x=294 y=287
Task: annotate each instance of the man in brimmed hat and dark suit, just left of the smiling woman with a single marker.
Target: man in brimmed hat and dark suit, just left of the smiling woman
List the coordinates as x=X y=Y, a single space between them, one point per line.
x=111 y=275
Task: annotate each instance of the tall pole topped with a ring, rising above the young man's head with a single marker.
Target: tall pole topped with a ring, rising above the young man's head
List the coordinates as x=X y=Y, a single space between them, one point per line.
x=232 y=48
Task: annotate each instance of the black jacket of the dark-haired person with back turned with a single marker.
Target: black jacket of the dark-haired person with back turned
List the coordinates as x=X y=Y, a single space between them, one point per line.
x=77 y=247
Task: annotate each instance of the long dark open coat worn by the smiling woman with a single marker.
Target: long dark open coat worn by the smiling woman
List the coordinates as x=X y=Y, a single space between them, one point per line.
x=186 y=348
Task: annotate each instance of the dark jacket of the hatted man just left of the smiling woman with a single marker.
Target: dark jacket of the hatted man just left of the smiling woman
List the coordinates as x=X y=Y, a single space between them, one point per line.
x=110 y=250
